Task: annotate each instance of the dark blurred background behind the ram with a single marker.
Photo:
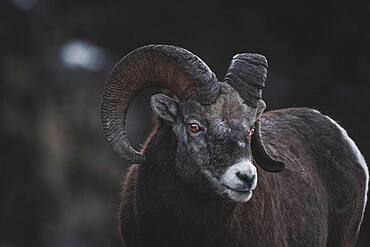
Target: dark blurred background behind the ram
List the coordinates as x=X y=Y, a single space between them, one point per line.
x=59 y=178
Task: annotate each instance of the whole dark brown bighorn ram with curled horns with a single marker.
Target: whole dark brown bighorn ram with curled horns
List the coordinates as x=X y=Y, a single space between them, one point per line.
x=192 y=183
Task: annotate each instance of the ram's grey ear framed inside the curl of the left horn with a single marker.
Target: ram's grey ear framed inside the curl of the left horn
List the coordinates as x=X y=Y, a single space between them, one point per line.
x=164 y=107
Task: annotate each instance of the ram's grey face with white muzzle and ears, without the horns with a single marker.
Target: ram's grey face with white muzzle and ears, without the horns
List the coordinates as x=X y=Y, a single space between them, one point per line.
x=213 y=150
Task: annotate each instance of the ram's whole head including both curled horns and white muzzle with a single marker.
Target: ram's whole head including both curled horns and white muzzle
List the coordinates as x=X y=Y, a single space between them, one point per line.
x=216 y=123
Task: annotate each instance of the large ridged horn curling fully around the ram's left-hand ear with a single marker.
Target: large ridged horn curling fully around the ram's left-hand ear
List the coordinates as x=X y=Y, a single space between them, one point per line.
x=171 y=67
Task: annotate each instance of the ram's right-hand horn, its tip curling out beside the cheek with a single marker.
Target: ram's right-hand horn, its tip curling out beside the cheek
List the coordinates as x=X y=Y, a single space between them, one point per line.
x=247 y=74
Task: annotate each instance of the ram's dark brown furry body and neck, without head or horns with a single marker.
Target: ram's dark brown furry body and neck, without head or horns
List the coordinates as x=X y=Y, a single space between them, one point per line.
x=317 y=201
